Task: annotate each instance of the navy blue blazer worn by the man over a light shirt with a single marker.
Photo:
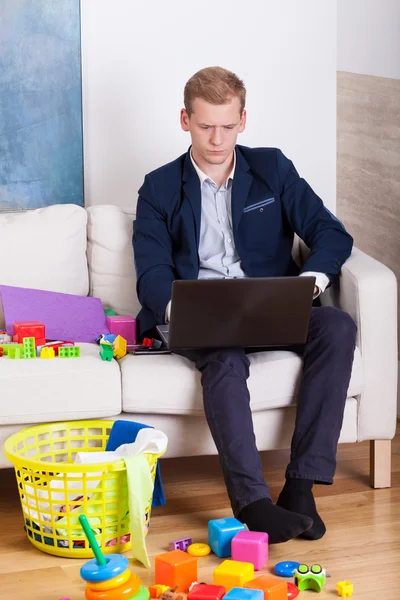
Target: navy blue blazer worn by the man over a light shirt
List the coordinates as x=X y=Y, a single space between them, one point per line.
x=167 y=226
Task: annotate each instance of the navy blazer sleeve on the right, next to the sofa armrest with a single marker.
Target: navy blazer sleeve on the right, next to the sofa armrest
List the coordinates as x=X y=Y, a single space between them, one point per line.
x=329 y=243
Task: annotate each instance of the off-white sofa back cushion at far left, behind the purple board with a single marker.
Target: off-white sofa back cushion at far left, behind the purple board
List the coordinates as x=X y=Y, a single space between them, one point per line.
x=45 y=249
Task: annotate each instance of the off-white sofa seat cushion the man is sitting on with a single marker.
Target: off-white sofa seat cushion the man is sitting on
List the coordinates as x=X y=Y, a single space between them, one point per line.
x=170 y=384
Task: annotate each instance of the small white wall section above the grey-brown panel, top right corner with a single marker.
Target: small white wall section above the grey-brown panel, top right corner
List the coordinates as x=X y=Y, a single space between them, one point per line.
x=369 y=37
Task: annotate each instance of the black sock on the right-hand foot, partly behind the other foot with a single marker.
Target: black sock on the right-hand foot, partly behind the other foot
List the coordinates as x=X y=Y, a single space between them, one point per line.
x=297 y=496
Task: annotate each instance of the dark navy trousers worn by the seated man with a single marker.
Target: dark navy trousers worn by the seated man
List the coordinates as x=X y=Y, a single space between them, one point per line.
x=327 y=363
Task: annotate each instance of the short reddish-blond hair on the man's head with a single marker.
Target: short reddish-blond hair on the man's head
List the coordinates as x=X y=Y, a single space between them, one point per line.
x=214 y=85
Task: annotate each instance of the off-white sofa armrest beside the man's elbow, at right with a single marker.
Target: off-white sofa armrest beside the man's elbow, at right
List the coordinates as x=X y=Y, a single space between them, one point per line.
x=367 y=290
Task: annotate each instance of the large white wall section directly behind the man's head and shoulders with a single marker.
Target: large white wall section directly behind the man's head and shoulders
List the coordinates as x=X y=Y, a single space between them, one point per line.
x=137 y=57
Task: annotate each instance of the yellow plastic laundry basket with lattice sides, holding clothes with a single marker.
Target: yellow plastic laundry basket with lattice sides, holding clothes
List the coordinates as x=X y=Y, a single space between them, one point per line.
x=52 y=487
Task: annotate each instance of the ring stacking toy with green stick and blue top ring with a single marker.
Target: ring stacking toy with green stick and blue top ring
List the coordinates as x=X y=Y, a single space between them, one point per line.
x=109 y=578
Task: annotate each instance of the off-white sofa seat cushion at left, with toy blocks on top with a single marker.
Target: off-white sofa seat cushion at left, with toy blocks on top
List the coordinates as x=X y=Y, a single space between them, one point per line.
x=41 y=390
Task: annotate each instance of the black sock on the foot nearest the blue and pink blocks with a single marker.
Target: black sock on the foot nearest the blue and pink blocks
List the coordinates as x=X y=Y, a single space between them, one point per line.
x=280 y=524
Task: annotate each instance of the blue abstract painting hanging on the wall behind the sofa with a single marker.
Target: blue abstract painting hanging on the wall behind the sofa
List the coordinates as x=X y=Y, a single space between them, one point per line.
x=41 y=157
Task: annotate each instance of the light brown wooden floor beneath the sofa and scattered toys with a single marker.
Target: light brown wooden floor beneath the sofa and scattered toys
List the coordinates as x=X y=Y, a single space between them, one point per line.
x=362 y=543
